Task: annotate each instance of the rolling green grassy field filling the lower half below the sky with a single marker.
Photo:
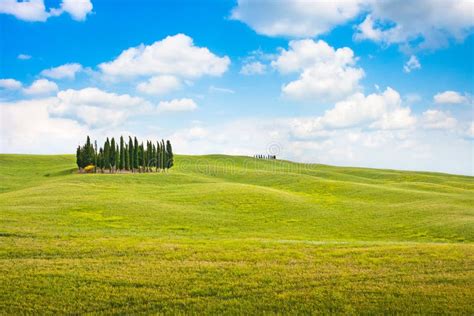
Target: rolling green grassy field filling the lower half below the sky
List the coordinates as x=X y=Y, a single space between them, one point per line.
x=233 y=235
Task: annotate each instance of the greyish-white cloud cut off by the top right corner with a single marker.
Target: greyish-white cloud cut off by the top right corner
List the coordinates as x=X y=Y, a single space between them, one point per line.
x=423 y=23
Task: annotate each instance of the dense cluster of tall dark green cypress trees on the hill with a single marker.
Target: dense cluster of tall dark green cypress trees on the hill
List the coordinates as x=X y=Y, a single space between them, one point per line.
x=122 y=156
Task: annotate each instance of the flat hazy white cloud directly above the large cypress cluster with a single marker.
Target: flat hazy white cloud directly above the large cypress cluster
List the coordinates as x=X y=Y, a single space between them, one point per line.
x=96 y=108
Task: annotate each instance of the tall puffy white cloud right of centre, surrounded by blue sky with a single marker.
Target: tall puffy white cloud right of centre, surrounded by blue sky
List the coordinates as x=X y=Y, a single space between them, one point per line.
x=326 y=74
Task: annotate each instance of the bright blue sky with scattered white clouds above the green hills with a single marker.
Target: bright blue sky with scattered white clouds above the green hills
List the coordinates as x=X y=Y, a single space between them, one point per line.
x=354 y=82
